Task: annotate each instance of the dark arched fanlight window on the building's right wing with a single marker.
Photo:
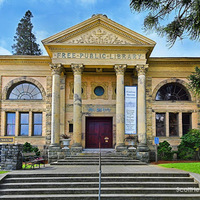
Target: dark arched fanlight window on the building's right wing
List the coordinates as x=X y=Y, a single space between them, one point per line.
x=172 y=92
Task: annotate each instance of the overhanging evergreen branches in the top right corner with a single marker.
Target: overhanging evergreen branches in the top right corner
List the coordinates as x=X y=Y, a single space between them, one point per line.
x=182 y=17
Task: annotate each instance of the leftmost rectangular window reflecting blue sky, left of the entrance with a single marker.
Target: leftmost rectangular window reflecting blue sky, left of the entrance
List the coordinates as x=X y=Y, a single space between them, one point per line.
x=10 y=124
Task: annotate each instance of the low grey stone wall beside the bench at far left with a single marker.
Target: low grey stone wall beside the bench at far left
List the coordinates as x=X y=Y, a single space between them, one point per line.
x=11 y=156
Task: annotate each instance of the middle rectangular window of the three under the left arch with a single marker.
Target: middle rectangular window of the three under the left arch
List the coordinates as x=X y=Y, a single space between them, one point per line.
x=24 y=124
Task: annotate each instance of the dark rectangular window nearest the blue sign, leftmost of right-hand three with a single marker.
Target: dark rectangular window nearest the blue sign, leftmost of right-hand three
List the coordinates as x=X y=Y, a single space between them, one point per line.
x=160 y=124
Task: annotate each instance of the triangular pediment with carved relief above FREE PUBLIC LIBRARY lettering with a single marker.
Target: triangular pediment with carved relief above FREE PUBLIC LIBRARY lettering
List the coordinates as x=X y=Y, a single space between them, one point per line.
x=98 y=30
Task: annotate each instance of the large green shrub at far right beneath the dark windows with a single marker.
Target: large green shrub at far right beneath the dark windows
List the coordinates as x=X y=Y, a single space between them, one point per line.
x=189 y=146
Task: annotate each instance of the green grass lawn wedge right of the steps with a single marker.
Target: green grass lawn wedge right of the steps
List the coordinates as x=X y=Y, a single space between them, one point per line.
x=190 y=167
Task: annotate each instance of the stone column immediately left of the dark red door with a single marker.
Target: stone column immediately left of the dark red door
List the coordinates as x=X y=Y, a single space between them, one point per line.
x=77 y=109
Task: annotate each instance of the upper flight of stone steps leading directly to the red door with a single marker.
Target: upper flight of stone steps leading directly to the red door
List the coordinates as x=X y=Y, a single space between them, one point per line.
x=91 y=157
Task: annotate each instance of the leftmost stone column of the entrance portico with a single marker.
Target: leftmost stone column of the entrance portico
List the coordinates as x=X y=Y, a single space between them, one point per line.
x=55 y=120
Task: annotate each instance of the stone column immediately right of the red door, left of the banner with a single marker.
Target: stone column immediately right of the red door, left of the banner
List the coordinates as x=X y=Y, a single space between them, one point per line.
x=120 y=143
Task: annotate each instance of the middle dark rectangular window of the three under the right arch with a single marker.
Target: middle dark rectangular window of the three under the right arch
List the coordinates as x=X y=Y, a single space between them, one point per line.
x=173 y=124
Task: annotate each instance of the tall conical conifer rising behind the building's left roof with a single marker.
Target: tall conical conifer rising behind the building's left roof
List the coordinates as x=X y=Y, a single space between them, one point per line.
x=24 y=38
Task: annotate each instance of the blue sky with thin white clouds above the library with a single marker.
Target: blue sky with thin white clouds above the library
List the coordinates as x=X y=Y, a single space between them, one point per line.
x=53 y=16
